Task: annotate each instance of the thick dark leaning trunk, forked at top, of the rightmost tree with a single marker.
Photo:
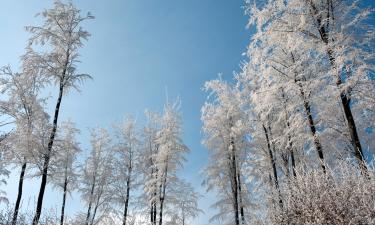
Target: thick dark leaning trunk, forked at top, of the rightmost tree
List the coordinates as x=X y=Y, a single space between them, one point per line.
x=345 y=100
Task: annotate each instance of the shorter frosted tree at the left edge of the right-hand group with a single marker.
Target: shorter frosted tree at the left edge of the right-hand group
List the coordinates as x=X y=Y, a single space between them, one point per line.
x=226 y=128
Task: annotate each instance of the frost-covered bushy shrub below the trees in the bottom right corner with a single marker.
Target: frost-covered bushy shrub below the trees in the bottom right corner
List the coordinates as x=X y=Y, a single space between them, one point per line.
x=342 y=196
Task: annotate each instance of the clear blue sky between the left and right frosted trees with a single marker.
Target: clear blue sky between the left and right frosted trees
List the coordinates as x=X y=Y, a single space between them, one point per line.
x=138 y=49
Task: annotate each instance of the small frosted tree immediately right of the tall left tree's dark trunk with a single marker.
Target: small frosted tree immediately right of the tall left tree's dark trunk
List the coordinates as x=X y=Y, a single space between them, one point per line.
x=64 y=166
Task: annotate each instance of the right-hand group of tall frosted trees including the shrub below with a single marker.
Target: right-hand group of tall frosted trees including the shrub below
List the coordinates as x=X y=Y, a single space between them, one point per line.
x=292 y=137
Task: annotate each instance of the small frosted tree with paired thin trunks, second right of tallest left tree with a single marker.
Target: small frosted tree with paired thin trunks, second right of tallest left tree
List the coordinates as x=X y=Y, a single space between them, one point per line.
x=97 y=177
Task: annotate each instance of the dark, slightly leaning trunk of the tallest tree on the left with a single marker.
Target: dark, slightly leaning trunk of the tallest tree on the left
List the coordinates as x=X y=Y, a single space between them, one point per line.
x=47 y=156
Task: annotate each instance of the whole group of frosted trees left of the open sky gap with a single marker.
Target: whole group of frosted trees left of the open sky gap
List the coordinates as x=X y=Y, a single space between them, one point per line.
x=129 y=175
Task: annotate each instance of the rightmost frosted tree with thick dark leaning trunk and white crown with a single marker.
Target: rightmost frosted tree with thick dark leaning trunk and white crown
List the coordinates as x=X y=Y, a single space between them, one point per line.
x=345 y=37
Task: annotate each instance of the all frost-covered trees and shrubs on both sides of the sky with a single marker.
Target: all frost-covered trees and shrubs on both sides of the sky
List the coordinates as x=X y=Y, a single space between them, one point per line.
x=290 y=137
